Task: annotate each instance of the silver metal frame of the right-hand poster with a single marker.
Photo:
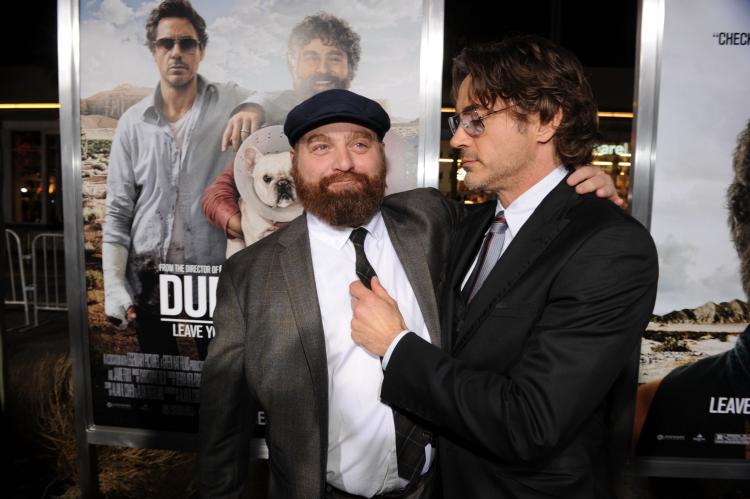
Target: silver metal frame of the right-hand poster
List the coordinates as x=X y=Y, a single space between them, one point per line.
x=651 y=19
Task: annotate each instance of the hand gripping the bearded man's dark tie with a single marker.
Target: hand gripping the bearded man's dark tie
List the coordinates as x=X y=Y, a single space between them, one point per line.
x=376 y=319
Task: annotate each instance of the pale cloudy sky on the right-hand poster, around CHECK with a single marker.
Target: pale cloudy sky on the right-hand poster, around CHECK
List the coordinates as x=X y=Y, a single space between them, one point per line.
x=703 y=106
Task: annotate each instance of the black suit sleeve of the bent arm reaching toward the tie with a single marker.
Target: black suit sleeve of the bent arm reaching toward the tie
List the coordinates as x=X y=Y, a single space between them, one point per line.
x=597 y=307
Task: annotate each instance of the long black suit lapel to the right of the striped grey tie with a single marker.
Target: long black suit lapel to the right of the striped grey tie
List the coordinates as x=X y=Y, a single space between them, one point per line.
x=547 y=221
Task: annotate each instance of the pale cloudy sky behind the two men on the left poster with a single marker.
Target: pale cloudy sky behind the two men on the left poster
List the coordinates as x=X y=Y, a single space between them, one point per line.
x=247 y=44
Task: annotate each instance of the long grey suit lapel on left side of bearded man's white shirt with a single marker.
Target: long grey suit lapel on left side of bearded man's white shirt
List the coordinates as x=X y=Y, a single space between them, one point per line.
x=296 y=264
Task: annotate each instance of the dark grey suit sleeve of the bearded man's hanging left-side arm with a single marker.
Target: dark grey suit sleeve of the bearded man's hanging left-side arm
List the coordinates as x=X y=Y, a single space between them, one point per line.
x=227 y=408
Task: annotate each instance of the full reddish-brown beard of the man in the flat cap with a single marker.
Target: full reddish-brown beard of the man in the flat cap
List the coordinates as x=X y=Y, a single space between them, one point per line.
x=350 y=207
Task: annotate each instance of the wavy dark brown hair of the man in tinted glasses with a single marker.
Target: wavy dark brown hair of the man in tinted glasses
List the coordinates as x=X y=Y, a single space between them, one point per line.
x=535 y=76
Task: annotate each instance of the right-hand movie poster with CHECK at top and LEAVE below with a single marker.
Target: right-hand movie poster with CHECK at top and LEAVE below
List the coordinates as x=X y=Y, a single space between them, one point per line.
x=694 y=397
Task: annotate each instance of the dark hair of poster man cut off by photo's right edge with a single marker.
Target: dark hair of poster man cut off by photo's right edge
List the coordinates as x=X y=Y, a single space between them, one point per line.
x=739 y=205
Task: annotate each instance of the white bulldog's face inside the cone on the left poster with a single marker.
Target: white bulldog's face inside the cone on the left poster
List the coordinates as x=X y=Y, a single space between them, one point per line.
x=272 y=177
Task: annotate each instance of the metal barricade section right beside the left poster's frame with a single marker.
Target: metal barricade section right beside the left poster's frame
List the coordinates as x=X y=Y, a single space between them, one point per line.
x=48 y=271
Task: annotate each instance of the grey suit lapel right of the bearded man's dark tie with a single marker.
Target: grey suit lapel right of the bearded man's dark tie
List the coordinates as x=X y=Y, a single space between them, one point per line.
x=413 y=257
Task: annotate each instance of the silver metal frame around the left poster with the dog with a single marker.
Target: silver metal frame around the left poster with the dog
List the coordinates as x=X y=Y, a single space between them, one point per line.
x=88 y=434
